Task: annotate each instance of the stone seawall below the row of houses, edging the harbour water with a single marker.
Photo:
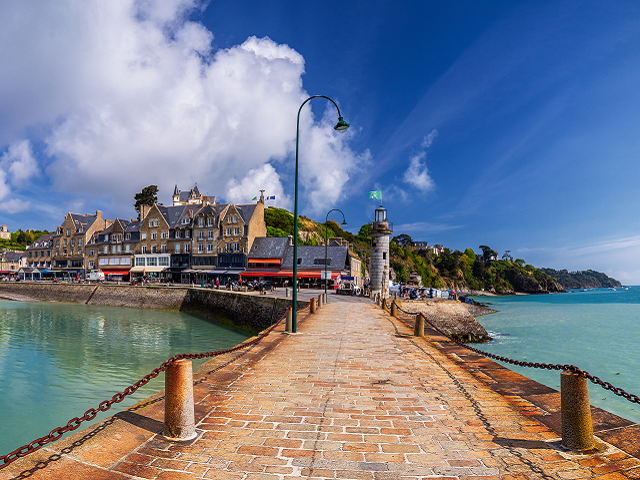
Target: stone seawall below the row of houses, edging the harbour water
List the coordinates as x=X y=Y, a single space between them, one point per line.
x=243 y=310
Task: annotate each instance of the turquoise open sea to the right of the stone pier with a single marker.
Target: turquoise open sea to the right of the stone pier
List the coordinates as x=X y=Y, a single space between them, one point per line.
x=596 y=330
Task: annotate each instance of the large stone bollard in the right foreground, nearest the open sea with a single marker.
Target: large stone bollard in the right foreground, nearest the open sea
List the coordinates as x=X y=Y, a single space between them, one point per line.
x=575 y=411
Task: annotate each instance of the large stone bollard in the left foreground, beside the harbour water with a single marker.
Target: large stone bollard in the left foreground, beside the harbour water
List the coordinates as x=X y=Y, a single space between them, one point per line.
x=179 y=417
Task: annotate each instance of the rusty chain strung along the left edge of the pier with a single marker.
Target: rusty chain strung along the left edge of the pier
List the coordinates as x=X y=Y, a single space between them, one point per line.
x=105 y=405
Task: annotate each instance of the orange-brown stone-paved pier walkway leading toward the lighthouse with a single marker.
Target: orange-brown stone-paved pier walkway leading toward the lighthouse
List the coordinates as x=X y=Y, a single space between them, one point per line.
x=352 y=396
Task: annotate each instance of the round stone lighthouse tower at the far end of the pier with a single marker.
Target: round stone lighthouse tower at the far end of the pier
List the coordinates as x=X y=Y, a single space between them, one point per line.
x=379 y=271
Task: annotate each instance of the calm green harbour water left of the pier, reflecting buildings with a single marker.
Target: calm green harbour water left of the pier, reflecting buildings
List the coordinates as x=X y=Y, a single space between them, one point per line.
x=57 y=360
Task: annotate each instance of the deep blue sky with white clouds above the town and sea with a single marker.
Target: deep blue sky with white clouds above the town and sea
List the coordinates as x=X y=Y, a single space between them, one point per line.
x=509 y=124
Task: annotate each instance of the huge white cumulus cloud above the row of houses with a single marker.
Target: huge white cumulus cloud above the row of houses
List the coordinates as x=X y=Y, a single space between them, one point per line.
x=129 y=93
